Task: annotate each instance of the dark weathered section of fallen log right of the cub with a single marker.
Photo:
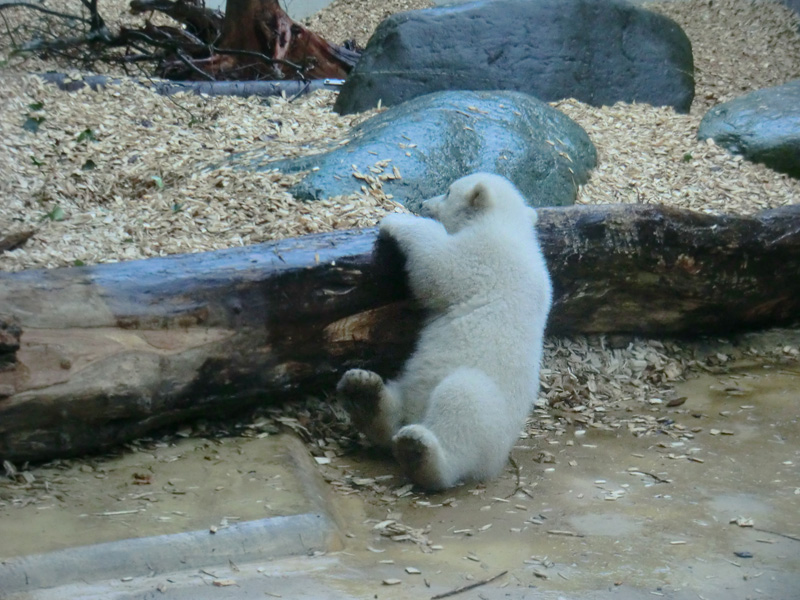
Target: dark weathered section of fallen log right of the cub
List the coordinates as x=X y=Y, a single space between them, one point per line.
x=655 y=270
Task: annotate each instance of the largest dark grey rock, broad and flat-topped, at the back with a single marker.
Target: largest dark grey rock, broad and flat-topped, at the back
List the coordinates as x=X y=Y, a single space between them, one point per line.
x=598 y=51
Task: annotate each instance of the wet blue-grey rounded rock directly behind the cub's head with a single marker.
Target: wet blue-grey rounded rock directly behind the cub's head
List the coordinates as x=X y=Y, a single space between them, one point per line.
x=435 y=139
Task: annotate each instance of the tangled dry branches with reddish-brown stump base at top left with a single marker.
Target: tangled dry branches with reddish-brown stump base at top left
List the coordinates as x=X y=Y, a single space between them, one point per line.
x=254 y=40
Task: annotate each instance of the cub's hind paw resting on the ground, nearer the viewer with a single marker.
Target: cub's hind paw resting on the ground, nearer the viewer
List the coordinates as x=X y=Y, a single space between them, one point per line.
x=417 y=450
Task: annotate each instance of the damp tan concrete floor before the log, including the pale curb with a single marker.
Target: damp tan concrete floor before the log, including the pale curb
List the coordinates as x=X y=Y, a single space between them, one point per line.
x=713 y=517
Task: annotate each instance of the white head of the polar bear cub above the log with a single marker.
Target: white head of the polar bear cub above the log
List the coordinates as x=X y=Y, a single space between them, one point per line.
x=477 y=197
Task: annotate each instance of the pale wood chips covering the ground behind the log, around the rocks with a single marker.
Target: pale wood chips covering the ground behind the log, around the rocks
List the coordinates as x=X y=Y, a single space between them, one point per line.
x=117 y=174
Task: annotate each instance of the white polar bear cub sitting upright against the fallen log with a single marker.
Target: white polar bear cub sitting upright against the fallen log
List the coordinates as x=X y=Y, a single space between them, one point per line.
x=461 y=400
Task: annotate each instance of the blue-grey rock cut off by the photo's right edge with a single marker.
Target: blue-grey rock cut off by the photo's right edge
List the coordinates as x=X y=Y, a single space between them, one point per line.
x=762 y=126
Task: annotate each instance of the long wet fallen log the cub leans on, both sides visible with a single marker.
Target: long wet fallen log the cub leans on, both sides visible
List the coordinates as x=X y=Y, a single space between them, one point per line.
x=93 y=356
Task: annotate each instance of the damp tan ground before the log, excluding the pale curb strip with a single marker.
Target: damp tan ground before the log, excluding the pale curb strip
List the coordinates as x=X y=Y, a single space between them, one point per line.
x=706 y=506
